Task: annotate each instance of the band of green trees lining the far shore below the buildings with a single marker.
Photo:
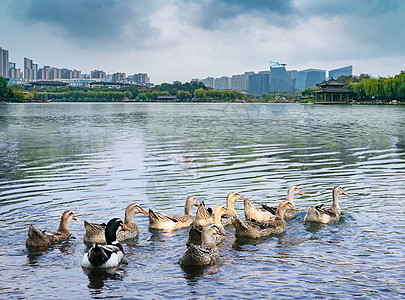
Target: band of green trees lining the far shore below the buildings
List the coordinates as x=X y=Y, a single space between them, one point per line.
x=365 y=90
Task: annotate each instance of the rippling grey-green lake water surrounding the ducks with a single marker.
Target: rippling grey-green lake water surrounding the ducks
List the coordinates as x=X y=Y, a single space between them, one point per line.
x=96 y=158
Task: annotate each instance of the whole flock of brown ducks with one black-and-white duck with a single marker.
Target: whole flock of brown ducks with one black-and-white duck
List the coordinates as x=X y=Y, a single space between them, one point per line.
x=207 y=228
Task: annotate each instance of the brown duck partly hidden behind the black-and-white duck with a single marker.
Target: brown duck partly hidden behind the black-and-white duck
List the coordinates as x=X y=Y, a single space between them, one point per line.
x=95 y=233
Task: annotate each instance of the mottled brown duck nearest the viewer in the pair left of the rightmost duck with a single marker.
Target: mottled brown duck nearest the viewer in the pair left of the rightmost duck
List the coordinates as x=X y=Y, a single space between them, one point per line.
x=255 y=229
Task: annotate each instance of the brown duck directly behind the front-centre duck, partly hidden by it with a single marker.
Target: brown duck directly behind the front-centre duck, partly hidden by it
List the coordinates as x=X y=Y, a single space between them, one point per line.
x=195 y=233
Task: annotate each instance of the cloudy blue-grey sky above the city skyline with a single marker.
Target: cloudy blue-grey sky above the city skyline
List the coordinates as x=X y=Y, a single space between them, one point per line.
x=186 y=39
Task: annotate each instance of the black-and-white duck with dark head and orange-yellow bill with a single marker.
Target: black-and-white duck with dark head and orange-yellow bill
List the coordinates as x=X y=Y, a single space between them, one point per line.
x=110 y=255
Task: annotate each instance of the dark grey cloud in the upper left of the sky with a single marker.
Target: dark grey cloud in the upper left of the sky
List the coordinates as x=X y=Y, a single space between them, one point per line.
x=89 y=20
